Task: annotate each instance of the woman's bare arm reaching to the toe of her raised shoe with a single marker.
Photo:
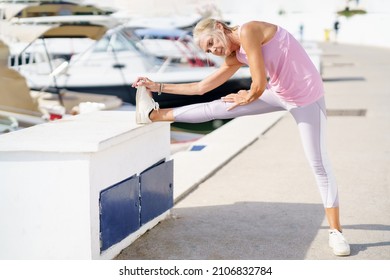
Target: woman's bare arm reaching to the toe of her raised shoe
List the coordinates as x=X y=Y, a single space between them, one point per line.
x=226 y=70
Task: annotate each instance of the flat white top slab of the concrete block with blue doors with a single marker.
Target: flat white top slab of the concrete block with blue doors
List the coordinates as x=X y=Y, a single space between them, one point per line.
x=82 y=133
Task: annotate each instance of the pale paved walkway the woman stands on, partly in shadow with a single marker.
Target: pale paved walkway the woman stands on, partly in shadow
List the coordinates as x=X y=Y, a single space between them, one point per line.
x=263 y=204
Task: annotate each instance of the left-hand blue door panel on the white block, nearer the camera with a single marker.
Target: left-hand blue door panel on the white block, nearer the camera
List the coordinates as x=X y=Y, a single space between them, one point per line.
x=119 y=211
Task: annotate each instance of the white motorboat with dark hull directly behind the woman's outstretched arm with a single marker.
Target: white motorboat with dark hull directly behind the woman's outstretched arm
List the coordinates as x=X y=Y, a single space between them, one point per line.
x=116 y=60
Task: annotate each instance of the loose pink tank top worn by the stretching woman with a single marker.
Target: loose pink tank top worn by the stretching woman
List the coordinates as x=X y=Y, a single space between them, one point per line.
x=292 y=74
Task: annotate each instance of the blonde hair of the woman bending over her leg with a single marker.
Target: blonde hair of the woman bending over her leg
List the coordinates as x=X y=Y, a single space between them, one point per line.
x=208 y=26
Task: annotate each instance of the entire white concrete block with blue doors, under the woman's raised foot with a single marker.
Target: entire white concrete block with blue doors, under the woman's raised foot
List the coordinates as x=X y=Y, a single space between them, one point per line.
x=52 y=176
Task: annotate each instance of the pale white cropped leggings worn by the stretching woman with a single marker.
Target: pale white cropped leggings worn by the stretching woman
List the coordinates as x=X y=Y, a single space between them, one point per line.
x=311 y=120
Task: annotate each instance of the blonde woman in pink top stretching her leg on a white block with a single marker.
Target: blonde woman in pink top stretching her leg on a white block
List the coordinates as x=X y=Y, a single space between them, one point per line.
x=283 y=78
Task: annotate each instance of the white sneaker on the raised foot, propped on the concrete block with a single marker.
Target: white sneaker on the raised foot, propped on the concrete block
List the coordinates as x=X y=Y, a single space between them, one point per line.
x=144 y=105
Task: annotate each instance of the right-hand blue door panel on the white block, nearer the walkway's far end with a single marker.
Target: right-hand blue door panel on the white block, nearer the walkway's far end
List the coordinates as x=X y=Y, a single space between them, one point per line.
x=156 y=191
